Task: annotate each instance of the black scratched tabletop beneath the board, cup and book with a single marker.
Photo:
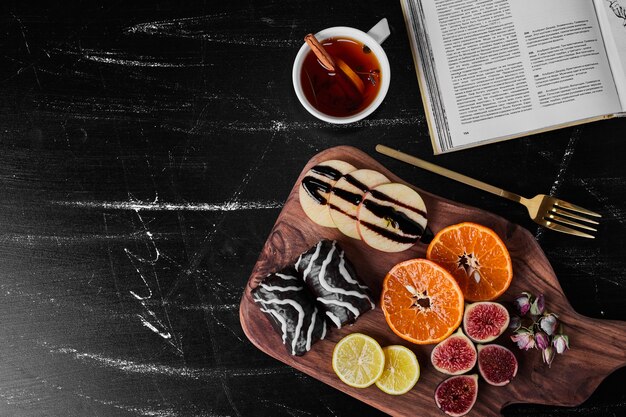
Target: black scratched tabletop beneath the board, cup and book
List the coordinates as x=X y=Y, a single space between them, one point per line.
x=146 y=149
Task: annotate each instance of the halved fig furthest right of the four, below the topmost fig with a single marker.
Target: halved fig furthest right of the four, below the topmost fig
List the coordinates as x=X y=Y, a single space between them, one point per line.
x=496 y=364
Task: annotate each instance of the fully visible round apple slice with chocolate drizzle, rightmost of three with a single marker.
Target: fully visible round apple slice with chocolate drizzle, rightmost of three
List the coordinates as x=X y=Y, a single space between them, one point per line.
x=391 y=217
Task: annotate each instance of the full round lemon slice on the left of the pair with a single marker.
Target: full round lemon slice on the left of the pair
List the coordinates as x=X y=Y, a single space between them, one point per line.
x=358 y=360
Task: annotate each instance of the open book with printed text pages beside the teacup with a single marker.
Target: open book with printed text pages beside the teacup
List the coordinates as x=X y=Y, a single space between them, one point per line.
x=491 y=70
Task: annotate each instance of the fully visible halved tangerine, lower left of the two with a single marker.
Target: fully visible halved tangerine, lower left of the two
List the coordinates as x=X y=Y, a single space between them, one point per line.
x=421 y=301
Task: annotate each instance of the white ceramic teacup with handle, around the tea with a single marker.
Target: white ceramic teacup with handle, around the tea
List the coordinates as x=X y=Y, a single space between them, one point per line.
x=372 y=40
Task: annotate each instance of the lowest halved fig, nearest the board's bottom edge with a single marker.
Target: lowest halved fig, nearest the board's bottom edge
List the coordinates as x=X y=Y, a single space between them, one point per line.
x=456 y=395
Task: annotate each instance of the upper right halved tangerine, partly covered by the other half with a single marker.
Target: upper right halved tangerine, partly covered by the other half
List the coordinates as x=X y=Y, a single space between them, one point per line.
x=476 y=257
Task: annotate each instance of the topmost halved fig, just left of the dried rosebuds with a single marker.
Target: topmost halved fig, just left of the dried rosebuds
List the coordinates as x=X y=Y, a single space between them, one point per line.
x=485 y=321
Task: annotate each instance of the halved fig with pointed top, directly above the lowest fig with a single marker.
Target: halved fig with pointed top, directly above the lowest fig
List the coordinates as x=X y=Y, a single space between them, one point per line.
x=454 y=355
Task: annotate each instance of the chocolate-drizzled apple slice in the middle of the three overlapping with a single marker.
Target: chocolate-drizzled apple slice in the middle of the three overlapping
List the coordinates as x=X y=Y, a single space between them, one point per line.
x=346 y=196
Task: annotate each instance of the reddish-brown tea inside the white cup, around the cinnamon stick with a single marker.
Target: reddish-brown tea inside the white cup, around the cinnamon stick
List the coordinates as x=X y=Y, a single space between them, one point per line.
x=332 y=92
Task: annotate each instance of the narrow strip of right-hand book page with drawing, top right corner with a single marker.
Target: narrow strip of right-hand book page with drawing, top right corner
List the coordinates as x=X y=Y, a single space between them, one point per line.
x=612 y=17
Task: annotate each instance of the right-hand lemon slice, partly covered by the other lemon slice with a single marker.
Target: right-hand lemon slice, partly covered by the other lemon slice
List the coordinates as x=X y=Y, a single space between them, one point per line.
x=402 y=370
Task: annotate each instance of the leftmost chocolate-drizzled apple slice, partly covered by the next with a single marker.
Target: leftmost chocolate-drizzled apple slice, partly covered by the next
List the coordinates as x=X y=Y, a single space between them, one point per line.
x=315 y=188
